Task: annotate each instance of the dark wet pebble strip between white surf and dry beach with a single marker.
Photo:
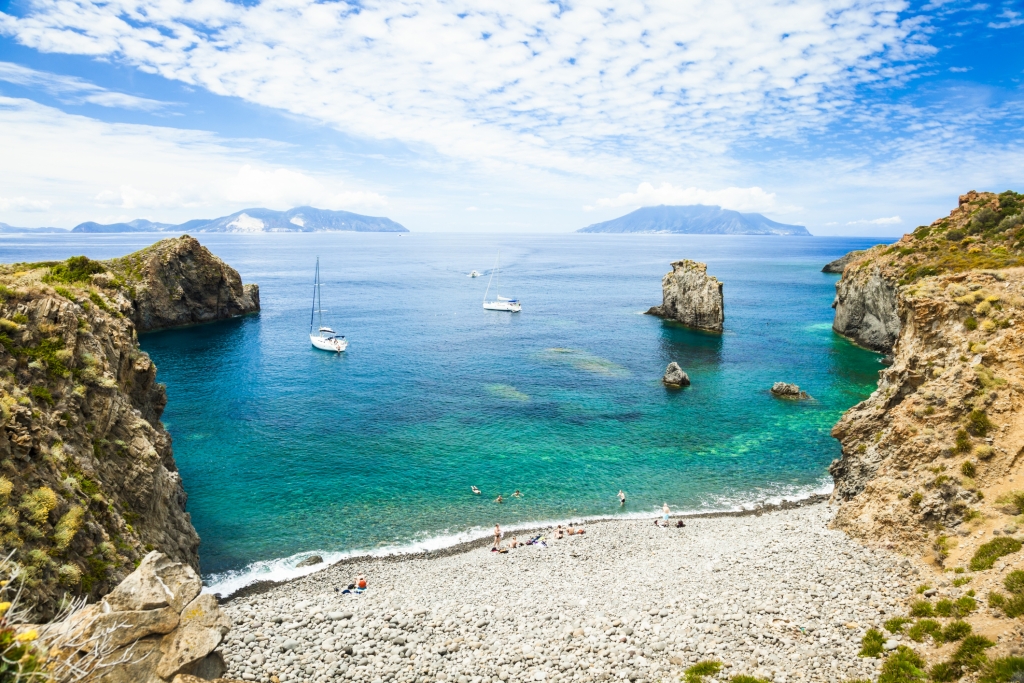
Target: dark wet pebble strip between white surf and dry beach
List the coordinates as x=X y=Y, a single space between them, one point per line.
x=266 y=586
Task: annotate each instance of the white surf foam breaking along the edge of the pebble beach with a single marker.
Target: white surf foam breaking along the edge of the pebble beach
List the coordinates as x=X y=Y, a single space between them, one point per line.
x=286 y=569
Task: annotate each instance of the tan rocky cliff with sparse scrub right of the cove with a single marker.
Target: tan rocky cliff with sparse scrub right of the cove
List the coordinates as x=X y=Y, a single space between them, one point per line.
x=935 y=444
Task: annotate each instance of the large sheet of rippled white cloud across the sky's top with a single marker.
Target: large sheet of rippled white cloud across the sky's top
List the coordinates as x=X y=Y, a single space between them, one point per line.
x=576 y=88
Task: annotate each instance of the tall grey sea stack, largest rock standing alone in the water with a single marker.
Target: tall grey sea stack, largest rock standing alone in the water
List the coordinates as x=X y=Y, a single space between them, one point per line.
x=693 y=297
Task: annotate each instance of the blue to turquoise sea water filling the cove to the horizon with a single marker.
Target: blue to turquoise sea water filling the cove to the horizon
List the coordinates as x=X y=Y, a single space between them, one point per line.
x=285 y=450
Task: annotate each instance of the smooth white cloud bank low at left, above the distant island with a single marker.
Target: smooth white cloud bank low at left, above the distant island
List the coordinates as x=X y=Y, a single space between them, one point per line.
x=77 y=167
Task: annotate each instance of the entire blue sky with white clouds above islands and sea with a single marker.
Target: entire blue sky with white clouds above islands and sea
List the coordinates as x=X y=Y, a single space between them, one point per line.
x=850 y=117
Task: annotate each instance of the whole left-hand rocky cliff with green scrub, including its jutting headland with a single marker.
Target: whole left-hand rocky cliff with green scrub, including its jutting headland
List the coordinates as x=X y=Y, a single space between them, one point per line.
x=89 y=484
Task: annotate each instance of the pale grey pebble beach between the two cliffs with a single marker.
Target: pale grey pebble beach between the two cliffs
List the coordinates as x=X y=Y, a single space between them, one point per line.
x=777 y=595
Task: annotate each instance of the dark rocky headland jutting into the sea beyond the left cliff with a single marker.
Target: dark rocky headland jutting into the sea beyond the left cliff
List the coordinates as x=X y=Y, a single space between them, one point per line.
x=180 y=282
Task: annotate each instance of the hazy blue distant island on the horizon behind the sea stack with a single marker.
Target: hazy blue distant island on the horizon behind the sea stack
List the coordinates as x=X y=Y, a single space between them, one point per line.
x=697 y=220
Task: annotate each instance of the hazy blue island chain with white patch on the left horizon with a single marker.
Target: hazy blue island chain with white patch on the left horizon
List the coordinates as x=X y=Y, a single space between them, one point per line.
x=301 y=220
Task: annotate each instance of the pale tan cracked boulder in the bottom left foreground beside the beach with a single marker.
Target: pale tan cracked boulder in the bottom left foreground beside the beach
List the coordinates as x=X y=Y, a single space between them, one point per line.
x=154 y=628
